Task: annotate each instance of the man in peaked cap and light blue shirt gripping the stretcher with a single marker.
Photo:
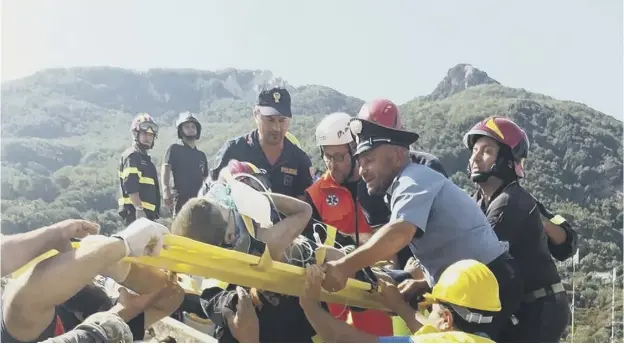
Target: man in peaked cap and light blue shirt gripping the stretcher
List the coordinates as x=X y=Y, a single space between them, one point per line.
x=439 y=221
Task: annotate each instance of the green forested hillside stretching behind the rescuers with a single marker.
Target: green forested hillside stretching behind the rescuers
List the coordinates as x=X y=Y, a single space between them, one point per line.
x=64 y=129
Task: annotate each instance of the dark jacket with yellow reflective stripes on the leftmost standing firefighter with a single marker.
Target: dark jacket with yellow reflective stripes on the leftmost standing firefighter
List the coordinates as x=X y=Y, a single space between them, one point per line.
x=137 y=173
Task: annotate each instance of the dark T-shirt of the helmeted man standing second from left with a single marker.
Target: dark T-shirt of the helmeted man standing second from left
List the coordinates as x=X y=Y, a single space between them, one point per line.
x=189 y=167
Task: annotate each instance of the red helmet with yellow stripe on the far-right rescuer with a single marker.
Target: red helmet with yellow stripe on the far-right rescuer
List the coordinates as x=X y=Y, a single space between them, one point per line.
x=505 y=132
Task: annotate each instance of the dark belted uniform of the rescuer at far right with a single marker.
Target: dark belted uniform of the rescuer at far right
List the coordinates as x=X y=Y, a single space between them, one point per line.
x=544 y=312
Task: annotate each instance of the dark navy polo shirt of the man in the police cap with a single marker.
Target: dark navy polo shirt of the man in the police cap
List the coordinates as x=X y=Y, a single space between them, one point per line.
x=290 y=175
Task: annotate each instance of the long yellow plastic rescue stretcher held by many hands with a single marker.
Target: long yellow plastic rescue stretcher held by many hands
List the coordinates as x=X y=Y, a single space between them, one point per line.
x=186 y=256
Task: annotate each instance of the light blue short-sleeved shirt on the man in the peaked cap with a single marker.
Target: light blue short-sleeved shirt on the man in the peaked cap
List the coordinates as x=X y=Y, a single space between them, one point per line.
x=451 y=227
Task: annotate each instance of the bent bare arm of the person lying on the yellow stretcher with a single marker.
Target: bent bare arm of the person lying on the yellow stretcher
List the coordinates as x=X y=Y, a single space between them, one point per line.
x=283 y=233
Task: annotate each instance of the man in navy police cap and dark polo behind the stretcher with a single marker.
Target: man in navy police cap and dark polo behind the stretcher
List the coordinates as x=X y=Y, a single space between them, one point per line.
x=286 y=165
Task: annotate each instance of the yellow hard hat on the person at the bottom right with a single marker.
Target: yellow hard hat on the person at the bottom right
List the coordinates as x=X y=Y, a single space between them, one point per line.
x=467 y=283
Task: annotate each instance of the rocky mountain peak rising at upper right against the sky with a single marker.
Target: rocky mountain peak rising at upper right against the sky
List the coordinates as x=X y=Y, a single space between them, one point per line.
x=459 y=78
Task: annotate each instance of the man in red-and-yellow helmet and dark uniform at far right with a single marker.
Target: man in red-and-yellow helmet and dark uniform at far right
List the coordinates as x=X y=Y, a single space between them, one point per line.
x=498 y=148
